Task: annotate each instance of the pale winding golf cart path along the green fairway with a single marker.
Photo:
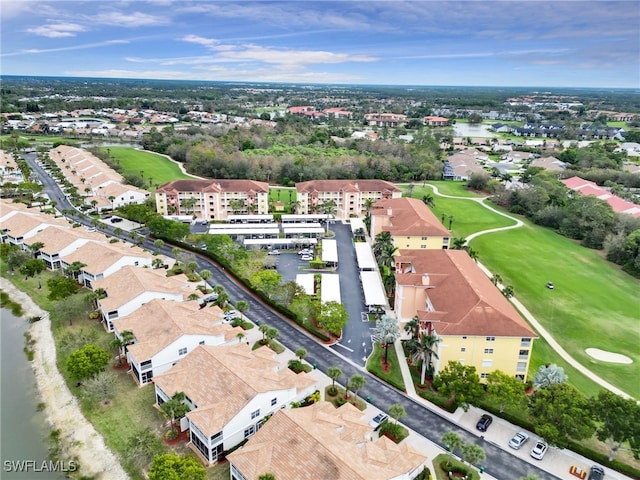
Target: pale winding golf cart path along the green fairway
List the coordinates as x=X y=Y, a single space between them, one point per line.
x=530 y=318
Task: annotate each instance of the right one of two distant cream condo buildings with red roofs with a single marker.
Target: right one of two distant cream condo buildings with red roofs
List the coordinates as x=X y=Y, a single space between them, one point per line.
x=350 y=196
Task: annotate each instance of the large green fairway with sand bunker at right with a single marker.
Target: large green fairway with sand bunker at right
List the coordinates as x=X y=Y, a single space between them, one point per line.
x=593 y=304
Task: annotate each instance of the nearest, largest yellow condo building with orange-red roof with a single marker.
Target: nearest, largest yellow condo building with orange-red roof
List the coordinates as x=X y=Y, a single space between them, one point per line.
x=454 y=300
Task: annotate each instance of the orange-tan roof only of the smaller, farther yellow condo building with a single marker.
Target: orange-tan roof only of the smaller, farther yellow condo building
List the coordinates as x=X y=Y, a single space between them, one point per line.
x=410 y=217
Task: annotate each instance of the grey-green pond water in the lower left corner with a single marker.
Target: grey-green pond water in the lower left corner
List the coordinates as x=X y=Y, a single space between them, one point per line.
x=23 y=430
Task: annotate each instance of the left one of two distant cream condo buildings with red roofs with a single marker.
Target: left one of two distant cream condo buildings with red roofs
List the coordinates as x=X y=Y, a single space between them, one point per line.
x=212 y=199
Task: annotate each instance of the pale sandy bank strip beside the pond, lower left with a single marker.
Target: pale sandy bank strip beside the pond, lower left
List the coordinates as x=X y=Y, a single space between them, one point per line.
x=78 y=436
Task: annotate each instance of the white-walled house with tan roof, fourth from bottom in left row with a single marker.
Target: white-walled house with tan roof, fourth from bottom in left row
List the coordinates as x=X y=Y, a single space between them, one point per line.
x=131 y=287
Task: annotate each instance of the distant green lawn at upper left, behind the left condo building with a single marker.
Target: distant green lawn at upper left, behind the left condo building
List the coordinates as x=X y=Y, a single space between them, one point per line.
x=154 y=167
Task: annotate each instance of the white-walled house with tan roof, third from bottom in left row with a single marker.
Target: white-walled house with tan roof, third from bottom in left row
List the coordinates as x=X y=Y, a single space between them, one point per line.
x=165 y=331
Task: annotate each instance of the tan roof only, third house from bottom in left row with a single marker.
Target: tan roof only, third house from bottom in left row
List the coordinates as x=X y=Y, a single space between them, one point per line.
x=159 y=322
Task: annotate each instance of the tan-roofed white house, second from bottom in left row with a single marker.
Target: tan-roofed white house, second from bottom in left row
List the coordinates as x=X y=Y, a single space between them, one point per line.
x=230 y=391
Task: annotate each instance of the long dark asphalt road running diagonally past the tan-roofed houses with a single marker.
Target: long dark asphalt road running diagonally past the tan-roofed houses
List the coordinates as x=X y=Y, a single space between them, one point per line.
x=499 y=463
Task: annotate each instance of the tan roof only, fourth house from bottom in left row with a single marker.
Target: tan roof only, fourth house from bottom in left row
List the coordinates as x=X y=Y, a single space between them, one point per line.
x=129 y=282
